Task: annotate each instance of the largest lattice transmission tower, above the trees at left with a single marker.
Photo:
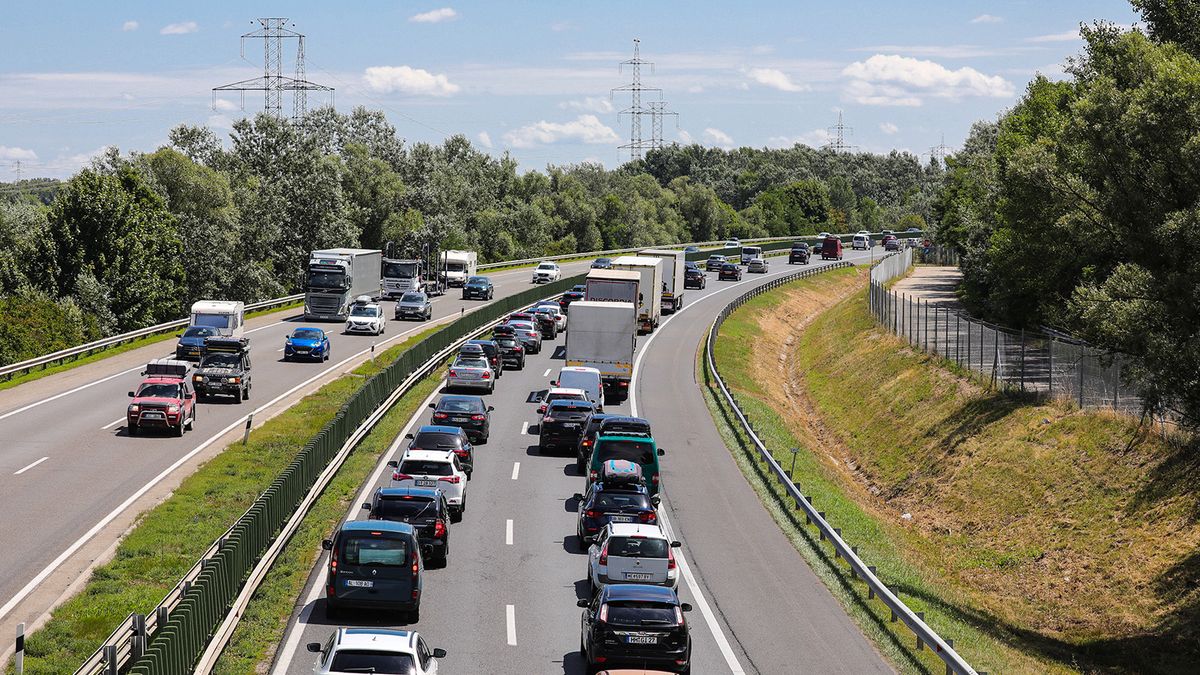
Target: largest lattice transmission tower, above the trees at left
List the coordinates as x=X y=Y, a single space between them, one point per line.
x=274 y=83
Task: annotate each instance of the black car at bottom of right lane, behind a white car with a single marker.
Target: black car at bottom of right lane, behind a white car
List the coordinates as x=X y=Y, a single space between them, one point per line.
x=635 y=626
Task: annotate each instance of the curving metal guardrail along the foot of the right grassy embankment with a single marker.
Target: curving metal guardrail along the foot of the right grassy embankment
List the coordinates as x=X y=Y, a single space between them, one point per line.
x=877 y=589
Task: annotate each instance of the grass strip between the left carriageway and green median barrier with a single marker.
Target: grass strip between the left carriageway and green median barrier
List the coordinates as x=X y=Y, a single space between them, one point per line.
x=169 y=539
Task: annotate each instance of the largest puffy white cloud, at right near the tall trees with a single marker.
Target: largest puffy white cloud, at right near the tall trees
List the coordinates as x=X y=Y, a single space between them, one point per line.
x=903 y=81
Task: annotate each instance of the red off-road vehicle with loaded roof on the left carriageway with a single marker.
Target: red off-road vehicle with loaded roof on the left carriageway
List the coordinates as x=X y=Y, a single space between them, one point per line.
x=164 y=401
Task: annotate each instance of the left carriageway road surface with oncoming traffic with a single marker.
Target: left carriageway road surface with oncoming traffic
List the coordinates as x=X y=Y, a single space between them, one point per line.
x=71 y=476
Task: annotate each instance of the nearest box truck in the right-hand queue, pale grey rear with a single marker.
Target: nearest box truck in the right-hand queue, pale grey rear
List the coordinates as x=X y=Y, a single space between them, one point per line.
x=603 y=336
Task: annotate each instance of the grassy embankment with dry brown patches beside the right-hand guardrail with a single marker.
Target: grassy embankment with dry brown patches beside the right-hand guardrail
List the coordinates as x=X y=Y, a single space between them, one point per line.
x=1040 y=537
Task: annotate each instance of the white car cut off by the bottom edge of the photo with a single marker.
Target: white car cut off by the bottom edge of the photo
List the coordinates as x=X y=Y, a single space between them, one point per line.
x=376 y=650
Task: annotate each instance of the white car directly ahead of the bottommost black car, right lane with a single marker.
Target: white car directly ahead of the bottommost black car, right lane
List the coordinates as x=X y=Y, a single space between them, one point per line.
x=631 y=553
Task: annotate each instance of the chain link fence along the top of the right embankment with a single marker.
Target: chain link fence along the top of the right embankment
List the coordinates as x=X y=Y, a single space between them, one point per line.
x=1036 y=362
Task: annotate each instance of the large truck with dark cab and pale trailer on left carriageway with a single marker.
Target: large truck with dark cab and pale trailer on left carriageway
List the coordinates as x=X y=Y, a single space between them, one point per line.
x=337 y=277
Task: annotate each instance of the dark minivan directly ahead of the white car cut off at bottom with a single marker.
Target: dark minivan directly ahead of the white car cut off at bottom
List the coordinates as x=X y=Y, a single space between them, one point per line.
x=375 y=565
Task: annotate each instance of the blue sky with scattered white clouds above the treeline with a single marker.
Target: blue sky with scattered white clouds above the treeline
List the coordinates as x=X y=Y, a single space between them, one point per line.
x=533 y=79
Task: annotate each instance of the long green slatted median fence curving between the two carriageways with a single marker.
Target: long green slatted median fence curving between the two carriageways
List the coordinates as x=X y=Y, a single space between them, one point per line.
x=178 y=643
